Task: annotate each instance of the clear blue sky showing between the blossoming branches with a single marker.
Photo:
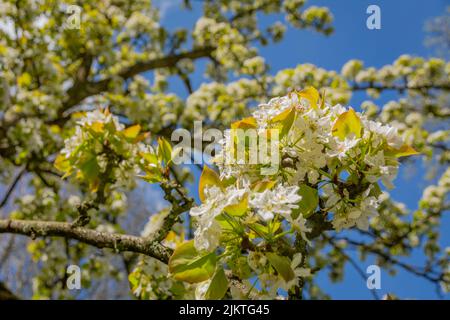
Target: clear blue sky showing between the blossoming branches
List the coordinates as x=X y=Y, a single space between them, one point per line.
x=402 y=32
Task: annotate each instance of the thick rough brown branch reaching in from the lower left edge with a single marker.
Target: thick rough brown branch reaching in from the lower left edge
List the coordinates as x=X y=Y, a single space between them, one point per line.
x=117 y=242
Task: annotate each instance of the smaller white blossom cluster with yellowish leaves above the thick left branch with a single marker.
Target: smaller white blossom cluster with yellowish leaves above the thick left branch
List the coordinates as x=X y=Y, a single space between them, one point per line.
x=101 y=149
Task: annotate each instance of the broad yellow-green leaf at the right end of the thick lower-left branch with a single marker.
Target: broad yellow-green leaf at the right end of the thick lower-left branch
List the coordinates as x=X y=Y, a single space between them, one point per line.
x=187 y=264
